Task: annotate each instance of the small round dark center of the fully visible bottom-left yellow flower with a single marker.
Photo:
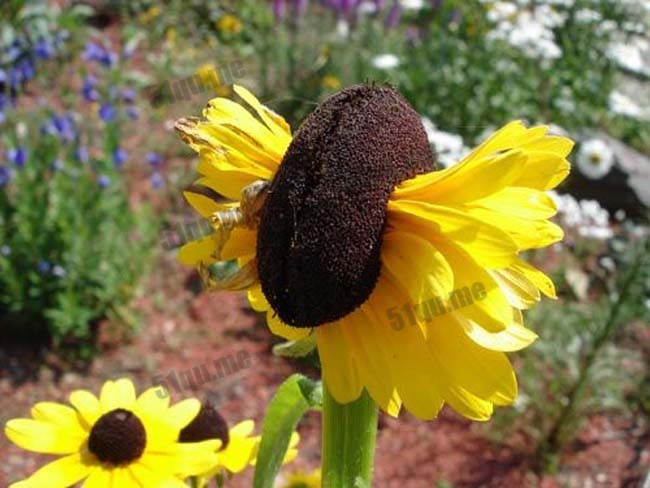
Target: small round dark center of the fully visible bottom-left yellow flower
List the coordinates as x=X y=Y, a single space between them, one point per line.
x=117 y=437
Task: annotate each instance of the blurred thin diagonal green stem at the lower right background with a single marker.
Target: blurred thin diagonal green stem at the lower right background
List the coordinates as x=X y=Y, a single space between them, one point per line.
x=549 y=449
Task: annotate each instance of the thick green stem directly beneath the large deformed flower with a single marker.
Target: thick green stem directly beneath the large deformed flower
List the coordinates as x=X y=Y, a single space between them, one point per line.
x=349 y=434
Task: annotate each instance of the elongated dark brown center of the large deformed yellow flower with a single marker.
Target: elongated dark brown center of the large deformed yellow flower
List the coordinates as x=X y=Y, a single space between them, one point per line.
x=321 y=228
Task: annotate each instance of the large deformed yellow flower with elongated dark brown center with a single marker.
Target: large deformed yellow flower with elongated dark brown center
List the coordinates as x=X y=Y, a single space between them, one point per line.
x=410 y=279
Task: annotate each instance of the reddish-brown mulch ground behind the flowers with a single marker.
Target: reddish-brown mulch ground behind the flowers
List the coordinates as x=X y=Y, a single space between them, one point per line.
x=183 y=330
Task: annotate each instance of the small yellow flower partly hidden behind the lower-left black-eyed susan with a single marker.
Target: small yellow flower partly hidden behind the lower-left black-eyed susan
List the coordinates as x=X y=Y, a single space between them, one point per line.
x=238 y=446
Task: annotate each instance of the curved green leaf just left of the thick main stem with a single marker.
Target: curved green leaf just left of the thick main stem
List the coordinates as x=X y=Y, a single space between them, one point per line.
x=293 y=398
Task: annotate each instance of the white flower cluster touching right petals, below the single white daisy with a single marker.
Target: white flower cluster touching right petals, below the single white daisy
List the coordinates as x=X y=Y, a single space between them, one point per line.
x=587 y=217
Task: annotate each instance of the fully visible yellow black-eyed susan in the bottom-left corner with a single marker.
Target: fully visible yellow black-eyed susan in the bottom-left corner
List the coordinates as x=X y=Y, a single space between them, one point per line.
x=117 y=440
